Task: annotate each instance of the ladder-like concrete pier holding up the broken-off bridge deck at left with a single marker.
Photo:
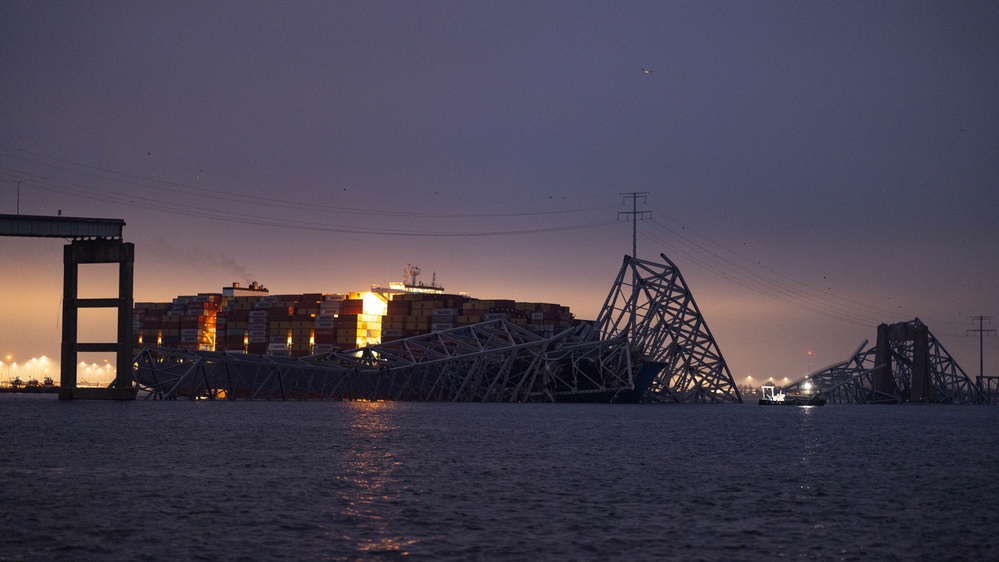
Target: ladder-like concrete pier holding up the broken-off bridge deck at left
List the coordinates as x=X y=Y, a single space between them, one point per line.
x=94 y=251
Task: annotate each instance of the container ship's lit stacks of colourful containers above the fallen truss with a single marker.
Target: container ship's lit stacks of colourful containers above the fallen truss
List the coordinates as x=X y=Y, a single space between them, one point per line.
x=252 y=320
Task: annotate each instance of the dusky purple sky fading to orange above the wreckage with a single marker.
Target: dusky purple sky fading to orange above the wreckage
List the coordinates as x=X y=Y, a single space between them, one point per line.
x=814 y=169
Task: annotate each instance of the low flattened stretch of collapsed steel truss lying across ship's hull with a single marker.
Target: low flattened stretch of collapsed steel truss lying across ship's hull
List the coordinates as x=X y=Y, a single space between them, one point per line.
x=489 y=362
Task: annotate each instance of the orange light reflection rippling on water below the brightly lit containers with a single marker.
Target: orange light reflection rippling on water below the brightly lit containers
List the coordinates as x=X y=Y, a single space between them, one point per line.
x=369 y=489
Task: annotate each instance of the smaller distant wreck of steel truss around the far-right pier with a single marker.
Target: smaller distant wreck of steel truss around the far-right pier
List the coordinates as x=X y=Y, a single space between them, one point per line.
x=887 y=377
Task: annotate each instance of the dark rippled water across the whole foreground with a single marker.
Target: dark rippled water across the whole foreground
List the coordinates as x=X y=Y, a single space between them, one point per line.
x=363 y=481
